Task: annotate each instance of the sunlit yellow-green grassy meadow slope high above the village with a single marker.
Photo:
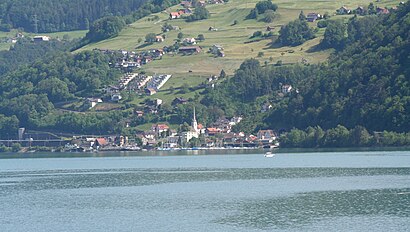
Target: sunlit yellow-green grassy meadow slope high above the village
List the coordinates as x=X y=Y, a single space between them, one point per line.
x=233 y=38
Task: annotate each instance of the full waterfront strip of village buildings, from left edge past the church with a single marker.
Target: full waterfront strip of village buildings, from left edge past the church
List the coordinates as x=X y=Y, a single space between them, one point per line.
x=218 y=135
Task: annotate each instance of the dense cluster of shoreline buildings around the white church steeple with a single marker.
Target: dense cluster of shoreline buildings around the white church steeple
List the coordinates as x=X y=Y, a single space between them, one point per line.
x=218 y=135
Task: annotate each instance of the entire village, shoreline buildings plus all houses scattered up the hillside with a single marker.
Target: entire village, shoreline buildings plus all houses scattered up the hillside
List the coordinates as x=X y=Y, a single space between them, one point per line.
x=216 y=135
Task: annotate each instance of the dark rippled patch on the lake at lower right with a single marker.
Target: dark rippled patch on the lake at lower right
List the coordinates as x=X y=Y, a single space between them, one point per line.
x=305 y=208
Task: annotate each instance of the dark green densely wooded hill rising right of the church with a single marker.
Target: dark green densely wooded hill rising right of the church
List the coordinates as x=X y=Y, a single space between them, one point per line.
x=366 y=83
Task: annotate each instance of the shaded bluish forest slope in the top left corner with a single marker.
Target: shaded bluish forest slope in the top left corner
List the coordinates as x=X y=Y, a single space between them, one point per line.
x=61 y=15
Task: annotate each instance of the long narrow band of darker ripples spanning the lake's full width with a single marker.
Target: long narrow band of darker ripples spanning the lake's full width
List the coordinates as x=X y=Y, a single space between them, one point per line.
x=72 y=179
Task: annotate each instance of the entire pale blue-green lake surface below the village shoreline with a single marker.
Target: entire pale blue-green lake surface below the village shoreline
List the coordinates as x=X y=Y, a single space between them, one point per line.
x=346 y=191
